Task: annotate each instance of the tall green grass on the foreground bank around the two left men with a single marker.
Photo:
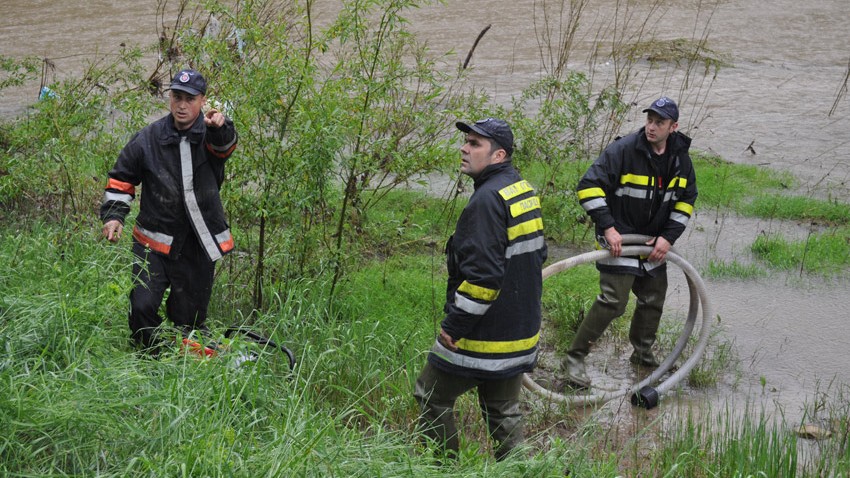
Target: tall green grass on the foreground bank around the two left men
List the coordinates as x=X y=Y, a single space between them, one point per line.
x=77 y=400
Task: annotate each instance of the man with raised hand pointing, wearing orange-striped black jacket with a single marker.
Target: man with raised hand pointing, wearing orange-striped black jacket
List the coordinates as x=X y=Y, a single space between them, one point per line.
x=181 y=230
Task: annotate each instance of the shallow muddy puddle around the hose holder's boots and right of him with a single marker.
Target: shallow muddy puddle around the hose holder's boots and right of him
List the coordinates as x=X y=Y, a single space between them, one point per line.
x=788 y=332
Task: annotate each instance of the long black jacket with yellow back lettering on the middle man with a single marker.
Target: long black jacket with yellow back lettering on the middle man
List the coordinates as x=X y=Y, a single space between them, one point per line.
x=495 y=282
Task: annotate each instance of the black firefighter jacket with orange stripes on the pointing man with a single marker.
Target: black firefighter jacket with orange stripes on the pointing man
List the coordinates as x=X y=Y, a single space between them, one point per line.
x=181 y=178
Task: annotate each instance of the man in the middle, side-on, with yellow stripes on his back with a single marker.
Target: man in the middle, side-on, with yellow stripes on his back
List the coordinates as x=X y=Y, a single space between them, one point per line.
x=489 y=335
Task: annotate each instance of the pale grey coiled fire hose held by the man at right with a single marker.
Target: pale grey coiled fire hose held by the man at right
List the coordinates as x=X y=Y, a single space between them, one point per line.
x=642 y=393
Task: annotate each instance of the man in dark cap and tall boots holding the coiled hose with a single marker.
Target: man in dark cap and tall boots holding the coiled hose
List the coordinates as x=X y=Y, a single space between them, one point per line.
x=643 y=183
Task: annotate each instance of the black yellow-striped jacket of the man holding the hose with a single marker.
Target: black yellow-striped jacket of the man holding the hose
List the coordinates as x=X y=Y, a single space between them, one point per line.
x=638 y=193
